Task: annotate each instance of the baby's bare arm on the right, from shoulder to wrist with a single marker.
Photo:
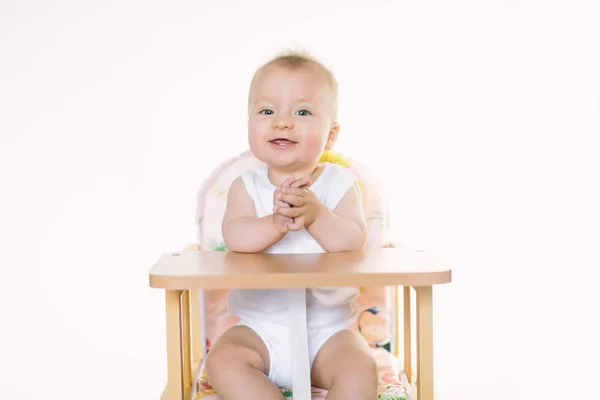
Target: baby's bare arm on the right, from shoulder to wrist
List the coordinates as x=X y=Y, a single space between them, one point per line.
x=343 y=229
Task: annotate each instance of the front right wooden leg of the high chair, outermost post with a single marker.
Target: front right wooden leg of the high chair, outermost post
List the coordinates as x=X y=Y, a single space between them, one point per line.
x=424 y=343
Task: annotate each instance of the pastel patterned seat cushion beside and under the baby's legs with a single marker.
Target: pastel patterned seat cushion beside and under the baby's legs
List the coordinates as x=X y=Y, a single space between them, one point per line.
x=393 y=384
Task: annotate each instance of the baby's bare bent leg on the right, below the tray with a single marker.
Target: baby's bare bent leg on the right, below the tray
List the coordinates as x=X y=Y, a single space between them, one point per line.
x=346 y=368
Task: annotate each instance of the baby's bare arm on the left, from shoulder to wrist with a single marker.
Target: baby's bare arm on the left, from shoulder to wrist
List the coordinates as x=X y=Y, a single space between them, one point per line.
x=242 y=231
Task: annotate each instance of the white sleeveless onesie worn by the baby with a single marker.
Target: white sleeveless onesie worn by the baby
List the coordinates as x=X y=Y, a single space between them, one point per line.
x=273 y=313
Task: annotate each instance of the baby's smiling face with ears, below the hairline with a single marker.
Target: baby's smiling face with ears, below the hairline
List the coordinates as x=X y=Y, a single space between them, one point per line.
x=290 y=117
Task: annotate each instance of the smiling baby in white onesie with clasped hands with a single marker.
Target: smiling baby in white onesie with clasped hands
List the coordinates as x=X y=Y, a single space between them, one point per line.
x=293 y=204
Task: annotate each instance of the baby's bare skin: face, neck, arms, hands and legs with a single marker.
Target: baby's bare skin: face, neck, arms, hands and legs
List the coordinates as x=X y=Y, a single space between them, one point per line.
x=291 y=123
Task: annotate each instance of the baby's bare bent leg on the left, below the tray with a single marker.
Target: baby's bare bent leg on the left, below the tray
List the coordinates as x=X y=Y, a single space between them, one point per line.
x=237 y=366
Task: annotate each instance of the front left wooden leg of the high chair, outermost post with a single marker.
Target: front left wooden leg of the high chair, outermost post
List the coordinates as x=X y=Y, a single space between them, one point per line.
x=175 y=386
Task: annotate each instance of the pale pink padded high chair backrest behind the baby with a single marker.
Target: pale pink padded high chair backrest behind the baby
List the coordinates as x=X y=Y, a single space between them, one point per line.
x=376 y=305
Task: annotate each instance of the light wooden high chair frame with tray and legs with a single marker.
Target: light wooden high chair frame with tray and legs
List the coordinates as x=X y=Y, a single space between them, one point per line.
x=186 y=276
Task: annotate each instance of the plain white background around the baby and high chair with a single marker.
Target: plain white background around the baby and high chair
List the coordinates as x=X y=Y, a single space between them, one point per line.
x=481 y=117
